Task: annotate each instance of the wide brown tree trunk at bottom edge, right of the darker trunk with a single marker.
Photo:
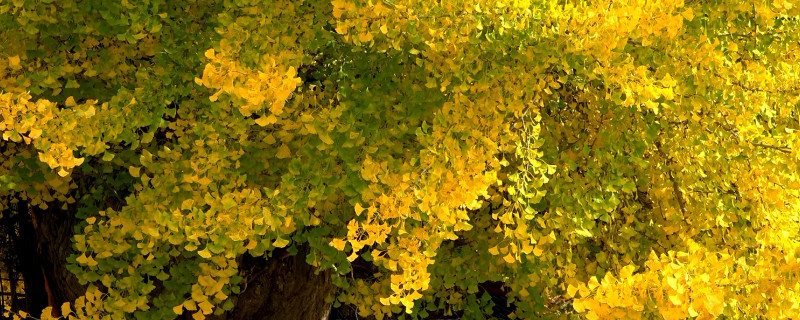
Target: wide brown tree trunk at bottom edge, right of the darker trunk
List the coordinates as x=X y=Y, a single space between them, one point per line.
x=281 y=287
